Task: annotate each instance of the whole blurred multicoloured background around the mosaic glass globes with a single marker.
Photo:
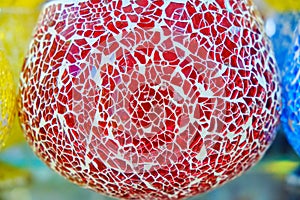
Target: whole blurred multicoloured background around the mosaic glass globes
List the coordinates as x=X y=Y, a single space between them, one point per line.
x=24 y=177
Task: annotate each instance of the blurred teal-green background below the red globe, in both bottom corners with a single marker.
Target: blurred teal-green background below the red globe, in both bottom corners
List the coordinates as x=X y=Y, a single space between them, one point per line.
x=265 y=181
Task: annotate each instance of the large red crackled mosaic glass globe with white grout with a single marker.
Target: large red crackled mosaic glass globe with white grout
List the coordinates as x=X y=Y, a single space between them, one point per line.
x=150 y=99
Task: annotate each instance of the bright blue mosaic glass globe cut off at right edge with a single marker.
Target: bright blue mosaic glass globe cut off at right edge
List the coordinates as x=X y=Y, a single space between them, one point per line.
x=291 y=98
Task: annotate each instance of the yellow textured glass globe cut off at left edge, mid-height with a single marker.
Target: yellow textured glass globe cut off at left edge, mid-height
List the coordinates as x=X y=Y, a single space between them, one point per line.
x=7 y=98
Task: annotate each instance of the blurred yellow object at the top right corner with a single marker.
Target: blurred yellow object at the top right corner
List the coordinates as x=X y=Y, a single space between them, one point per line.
x=286 y=5
